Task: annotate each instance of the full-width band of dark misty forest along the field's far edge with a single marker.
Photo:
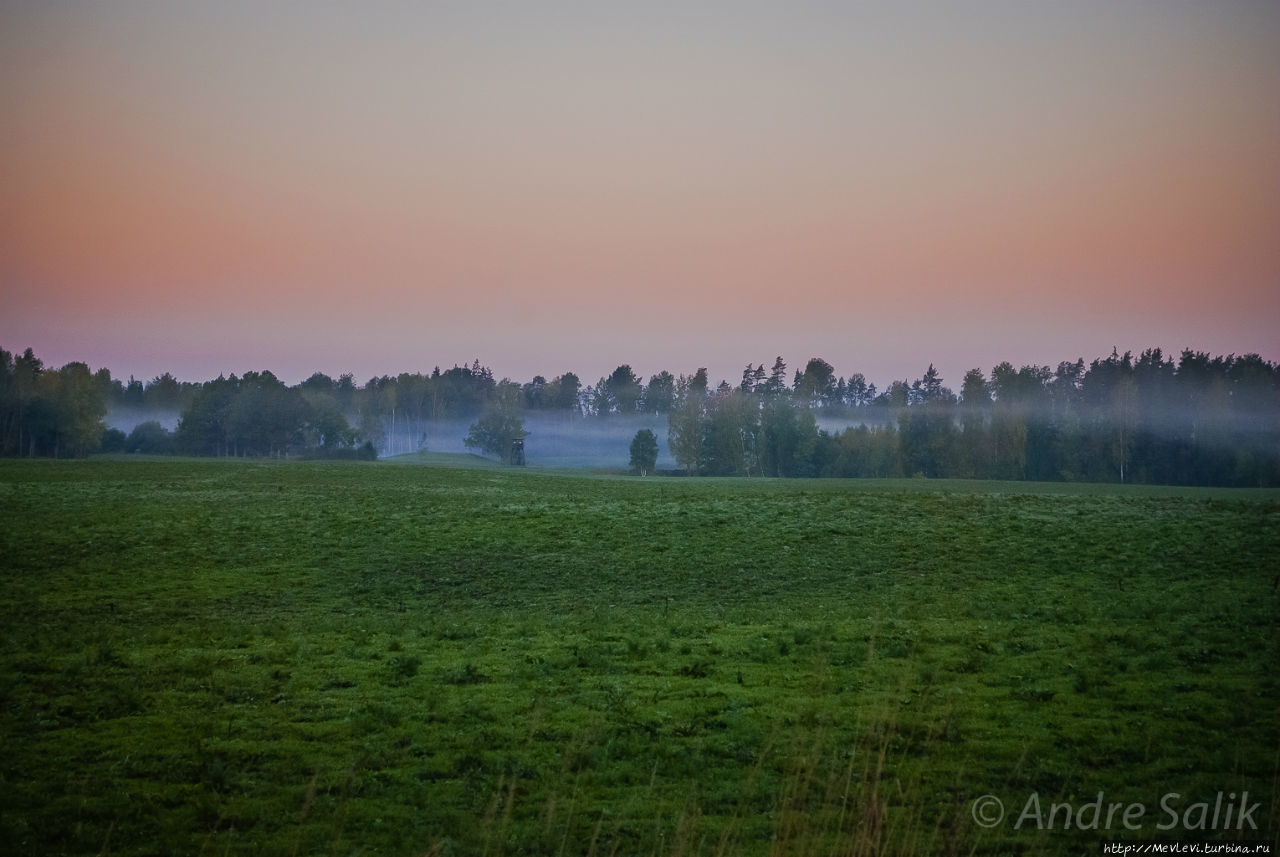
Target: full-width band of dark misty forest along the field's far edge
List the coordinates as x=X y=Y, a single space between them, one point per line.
x=1199 y=420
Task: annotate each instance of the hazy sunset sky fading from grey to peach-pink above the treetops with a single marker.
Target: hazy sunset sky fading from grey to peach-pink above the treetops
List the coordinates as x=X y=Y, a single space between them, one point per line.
x=385 y=187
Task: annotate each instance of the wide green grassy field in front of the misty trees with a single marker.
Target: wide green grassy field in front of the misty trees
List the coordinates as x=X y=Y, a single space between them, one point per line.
x=372 y=659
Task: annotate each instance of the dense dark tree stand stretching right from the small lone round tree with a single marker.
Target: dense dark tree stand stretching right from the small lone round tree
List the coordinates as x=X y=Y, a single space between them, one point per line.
x=1200 y=421
